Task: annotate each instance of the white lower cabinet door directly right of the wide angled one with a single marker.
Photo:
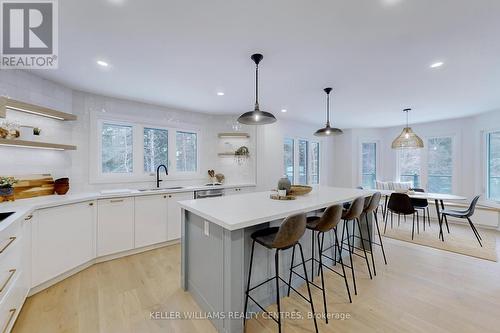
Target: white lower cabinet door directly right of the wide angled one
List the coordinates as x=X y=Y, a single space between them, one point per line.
x=115 y=225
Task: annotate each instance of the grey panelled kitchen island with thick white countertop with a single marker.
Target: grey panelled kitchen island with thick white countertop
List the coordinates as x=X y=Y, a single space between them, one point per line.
x=216 y=247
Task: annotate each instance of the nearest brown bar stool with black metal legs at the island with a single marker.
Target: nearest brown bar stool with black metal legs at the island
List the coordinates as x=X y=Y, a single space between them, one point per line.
x=280 y=238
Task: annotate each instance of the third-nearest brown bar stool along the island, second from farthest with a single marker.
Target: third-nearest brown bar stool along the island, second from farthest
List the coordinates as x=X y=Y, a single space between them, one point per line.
x=353 y=214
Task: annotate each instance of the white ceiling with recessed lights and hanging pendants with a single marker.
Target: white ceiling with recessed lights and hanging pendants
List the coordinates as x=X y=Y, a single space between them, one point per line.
x=374 y=53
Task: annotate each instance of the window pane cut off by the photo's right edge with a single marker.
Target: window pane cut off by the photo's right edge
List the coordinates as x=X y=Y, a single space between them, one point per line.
x=493 y=168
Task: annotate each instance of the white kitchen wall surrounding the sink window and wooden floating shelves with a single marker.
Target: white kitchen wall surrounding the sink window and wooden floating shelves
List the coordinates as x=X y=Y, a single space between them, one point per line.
x=264 y=167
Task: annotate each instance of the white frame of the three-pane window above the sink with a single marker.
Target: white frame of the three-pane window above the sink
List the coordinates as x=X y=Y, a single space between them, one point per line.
x=96 y=176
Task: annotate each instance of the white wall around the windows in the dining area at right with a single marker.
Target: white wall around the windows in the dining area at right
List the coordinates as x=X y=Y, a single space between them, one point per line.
x=468 y=147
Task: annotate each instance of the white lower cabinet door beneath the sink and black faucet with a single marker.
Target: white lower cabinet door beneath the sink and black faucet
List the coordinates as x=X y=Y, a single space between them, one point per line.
x=150 y=219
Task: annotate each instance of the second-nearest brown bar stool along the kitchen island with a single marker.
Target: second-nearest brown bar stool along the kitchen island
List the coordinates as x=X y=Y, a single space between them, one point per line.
x=326 y=223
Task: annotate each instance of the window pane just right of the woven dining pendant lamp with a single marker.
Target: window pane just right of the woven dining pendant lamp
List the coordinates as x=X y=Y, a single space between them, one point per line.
x=440 y=165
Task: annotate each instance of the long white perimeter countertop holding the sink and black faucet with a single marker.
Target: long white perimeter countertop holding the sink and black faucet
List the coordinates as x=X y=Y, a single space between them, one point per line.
x=23 y=207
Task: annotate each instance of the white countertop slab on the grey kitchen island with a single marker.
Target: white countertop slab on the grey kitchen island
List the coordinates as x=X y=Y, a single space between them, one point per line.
x=245 y=210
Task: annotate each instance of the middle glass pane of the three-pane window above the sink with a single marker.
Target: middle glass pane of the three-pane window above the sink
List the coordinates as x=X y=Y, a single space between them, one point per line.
x=155 y=148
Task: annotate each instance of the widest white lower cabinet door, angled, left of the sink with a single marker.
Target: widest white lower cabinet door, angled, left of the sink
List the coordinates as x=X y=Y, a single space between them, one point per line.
x=62 y=239
